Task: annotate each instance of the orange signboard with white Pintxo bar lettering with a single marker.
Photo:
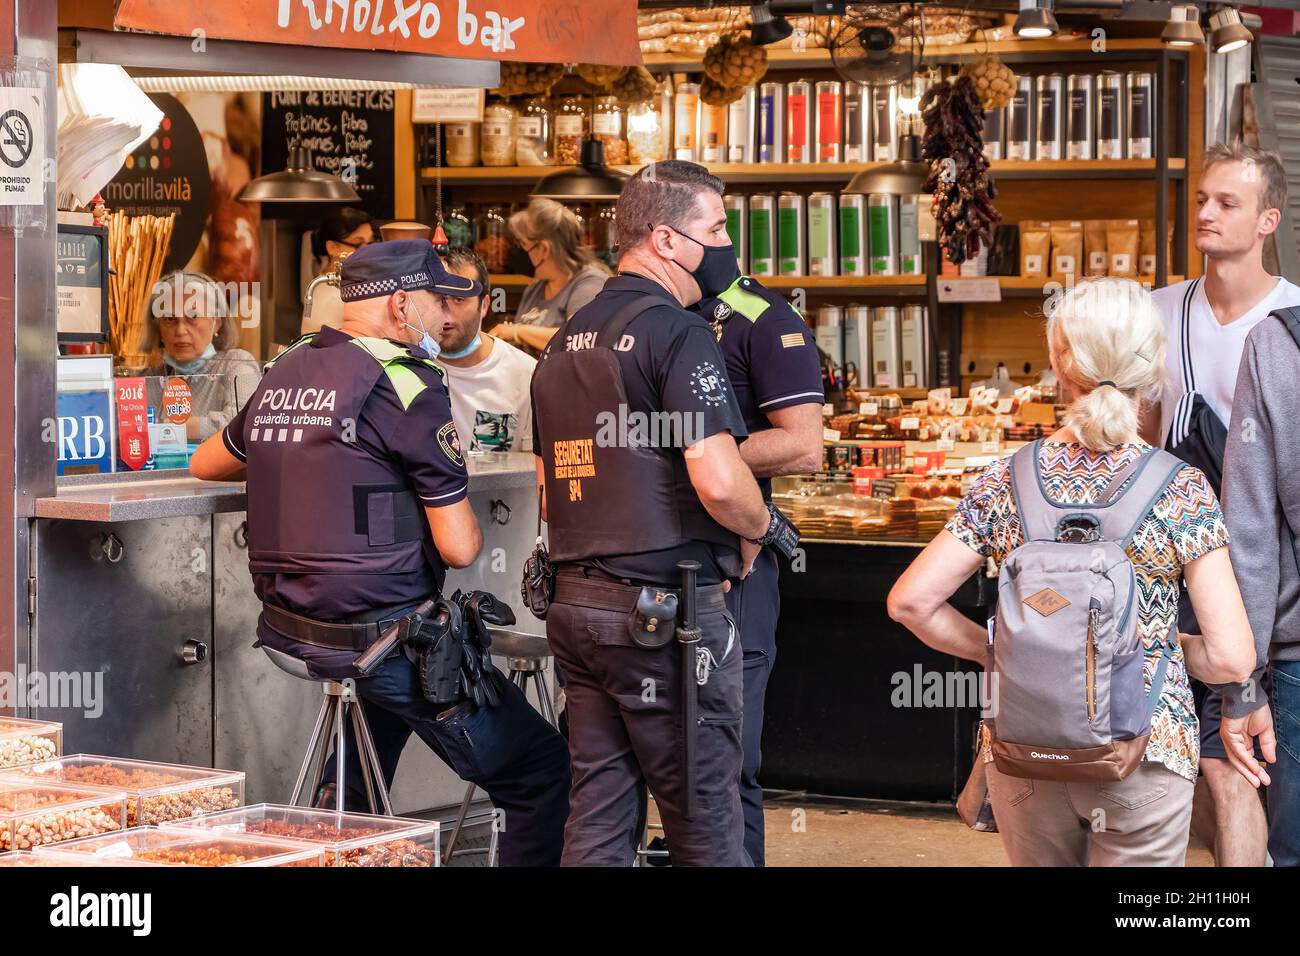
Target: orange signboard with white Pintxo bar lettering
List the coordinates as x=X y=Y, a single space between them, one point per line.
x=595 y=32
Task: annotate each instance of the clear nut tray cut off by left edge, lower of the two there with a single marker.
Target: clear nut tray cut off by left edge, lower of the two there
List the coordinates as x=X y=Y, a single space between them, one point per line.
x=37 y=815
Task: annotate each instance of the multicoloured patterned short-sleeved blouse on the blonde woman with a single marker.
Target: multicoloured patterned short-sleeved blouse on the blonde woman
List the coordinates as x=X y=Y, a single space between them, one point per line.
x=1185 y=525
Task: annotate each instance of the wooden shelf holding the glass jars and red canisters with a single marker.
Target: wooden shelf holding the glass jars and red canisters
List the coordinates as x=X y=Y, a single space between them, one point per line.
x=781 y=174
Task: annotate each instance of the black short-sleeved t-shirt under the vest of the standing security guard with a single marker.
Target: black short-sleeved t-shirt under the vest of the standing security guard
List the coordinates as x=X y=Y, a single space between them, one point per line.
x=674 y=356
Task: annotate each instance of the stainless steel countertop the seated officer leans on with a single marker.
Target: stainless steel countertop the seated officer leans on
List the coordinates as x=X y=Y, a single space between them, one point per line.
x=142 y=496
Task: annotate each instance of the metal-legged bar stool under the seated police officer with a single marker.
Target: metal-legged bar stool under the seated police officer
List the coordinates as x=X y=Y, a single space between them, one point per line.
x=340 y=704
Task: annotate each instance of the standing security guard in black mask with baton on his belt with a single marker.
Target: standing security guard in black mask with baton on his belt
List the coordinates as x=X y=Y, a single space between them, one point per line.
x=636 y=432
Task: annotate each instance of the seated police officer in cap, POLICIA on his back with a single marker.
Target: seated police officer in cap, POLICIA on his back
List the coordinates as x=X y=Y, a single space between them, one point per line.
x=357 y=507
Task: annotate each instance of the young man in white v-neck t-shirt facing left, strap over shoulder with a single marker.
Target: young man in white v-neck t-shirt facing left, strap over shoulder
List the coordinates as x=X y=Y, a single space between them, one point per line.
x=1238 y=206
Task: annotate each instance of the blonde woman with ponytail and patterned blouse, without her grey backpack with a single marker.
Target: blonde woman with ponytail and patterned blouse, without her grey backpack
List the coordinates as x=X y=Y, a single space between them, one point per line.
x=1108 y=351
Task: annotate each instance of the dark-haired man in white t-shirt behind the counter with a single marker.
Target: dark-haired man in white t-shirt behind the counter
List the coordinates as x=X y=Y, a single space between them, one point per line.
x=488 y=379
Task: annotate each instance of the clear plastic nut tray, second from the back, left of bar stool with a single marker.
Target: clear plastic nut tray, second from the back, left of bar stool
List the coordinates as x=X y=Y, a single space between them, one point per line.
x=155 y=793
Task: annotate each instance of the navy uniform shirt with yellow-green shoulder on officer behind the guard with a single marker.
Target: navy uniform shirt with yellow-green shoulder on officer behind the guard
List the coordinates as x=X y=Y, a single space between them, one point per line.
x=772 y=357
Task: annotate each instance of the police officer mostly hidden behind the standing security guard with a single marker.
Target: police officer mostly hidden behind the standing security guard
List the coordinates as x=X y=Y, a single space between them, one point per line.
x=777 y=374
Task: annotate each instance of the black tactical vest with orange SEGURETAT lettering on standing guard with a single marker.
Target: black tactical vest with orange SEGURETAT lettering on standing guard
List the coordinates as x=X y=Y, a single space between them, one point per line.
x=604 y=496
